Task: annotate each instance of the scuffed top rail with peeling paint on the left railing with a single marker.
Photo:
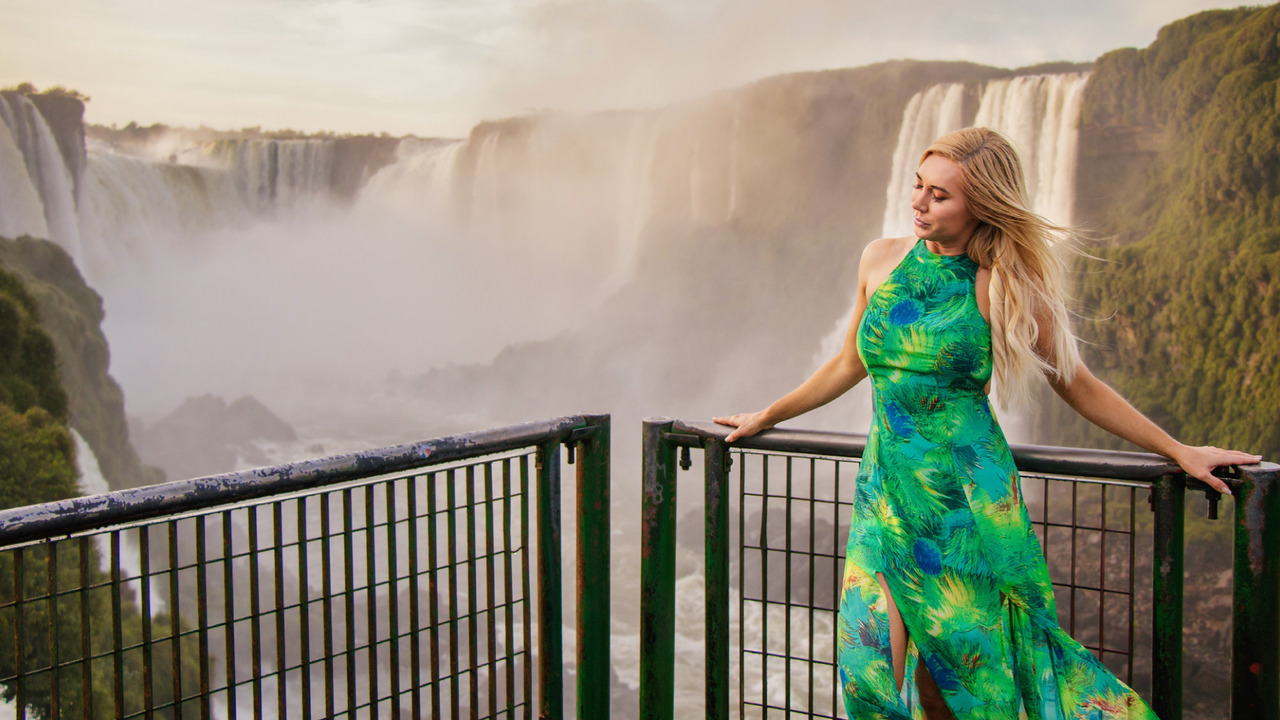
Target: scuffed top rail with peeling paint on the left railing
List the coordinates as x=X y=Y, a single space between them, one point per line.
x=79 y=514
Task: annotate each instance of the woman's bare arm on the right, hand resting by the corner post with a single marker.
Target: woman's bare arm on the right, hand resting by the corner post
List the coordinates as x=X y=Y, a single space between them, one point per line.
x=1105 y=408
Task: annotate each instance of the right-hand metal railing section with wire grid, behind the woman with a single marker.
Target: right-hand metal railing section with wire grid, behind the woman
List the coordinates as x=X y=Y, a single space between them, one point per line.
x=778 y=508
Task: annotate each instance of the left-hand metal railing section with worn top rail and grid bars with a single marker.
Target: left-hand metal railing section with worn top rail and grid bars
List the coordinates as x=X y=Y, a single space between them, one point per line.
x=413 y=581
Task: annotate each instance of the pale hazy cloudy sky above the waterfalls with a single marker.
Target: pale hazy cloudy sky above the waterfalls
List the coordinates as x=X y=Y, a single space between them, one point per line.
x=438 y=67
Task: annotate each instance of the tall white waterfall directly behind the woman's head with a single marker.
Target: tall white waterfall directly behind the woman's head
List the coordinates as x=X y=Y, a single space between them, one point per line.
x=1040 y=115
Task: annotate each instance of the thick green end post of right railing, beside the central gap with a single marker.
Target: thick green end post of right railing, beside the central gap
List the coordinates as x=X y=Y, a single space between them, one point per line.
x=659 y=573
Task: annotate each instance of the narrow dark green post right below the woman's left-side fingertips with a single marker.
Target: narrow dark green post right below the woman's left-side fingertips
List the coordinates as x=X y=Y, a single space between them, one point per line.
x=715 y=461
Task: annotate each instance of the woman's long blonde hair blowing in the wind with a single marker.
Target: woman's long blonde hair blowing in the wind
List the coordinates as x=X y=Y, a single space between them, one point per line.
x=1020 y=249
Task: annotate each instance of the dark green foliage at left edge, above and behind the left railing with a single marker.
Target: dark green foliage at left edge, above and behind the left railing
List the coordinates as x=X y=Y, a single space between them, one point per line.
x=38 y=464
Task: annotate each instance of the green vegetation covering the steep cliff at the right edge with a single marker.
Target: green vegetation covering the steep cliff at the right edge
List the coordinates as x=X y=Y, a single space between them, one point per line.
x=1185 y=308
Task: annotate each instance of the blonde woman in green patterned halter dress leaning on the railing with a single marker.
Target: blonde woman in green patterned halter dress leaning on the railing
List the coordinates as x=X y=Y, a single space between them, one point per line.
x=944 y=578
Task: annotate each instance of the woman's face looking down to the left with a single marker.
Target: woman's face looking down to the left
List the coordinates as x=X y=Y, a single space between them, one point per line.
x=941 y=213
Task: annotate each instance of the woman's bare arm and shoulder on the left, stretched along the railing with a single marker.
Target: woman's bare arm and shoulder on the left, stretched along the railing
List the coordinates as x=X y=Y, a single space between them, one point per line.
x=836 y=376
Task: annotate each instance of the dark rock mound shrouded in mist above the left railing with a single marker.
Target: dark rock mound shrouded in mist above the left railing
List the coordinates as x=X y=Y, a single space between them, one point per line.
x=207 y=436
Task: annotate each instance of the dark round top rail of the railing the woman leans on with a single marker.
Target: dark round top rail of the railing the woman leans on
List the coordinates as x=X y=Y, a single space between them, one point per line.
x=1030 y=458
